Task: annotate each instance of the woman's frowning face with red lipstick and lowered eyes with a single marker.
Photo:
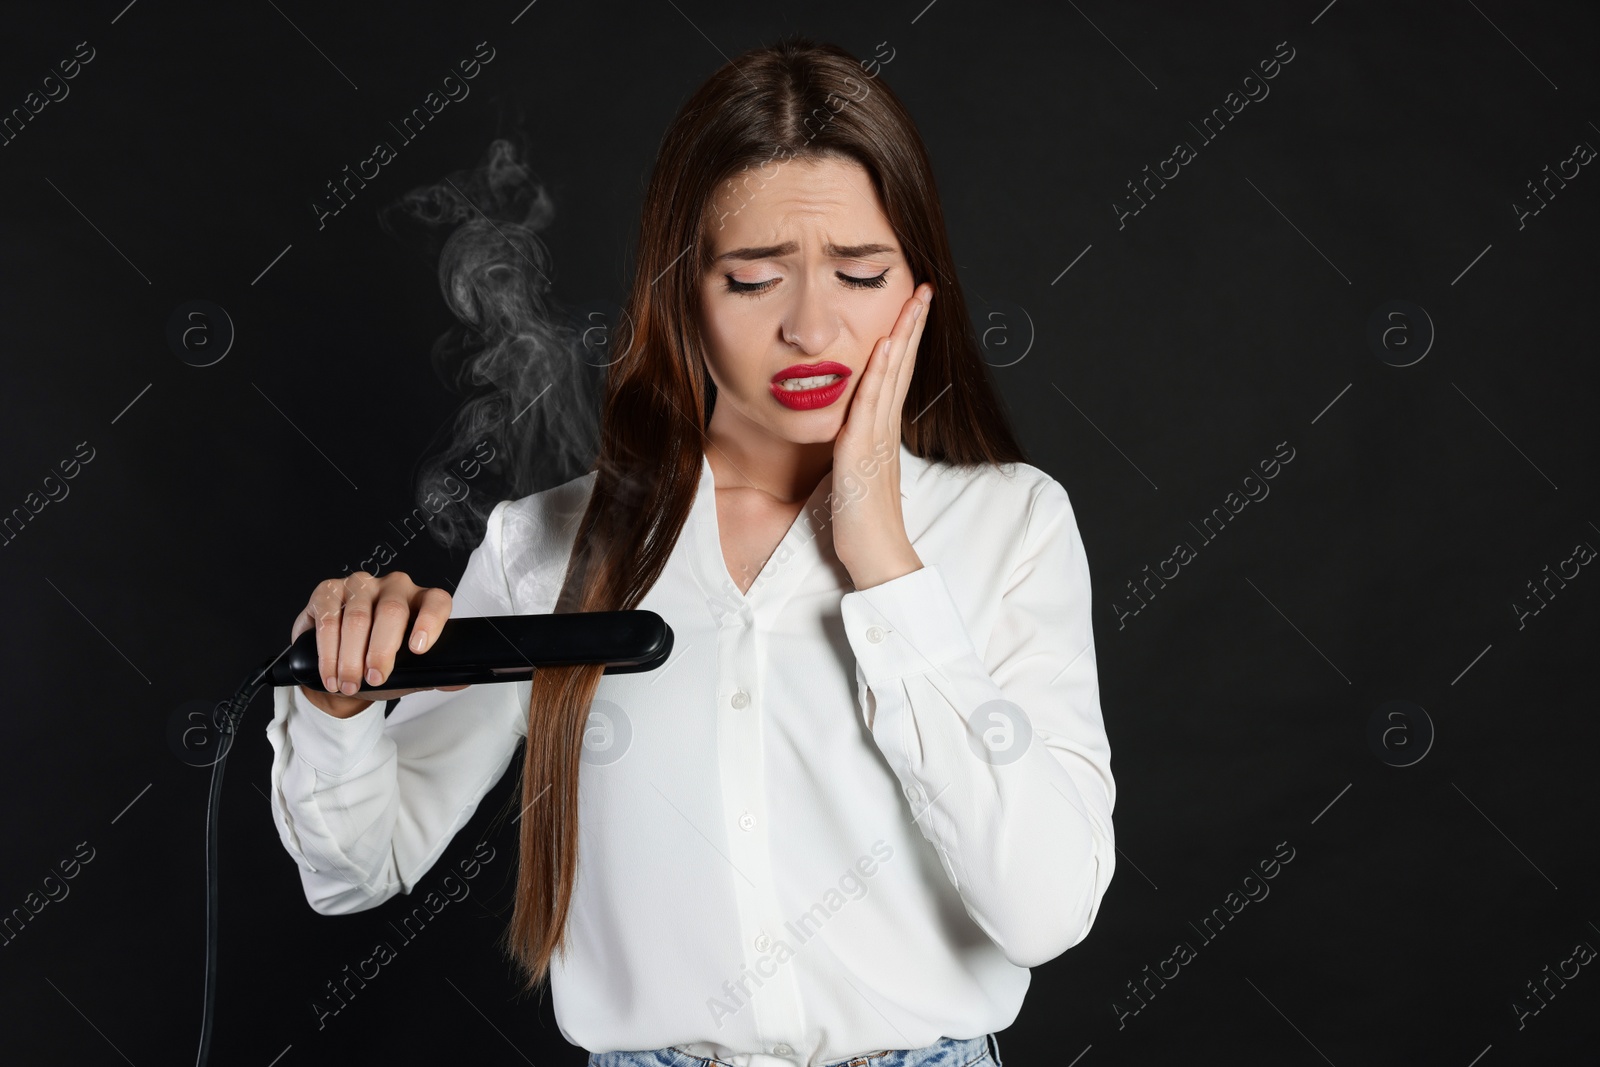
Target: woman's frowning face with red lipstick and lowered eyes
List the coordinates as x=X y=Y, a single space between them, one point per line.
x=806 y=270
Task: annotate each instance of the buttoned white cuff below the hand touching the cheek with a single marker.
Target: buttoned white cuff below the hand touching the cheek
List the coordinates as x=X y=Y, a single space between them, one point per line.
x=905 y=626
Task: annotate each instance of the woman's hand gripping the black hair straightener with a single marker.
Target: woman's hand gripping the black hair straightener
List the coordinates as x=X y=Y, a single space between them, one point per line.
x=361 y=623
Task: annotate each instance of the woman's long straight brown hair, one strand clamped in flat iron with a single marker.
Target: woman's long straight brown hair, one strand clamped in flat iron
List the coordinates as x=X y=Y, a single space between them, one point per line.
x=798 y=100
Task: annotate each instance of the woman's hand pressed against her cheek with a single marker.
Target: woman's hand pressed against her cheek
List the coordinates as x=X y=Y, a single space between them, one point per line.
x=870 y=530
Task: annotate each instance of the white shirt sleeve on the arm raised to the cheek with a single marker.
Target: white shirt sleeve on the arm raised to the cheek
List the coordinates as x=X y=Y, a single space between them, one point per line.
x=1001 y=753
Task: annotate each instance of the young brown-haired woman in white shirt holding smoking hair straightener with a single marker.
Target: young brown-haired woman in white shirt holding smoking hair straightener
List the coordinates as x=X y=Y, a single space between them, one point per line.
x=873 y=785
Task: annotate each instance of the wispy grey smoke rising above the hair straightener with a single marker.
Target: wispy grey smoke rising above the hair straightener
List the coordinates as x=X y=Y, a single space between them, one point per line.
x=530 y=378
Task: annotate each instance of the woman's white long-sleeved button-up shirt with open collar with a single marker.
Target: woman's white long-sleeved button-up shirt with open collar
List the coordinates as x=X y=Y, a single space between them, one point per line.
x=794 y=847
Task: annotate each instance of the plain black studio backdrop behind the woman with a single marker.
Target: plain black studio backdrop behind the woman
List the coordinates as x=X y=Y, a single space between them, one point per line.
x=1178 y=351
